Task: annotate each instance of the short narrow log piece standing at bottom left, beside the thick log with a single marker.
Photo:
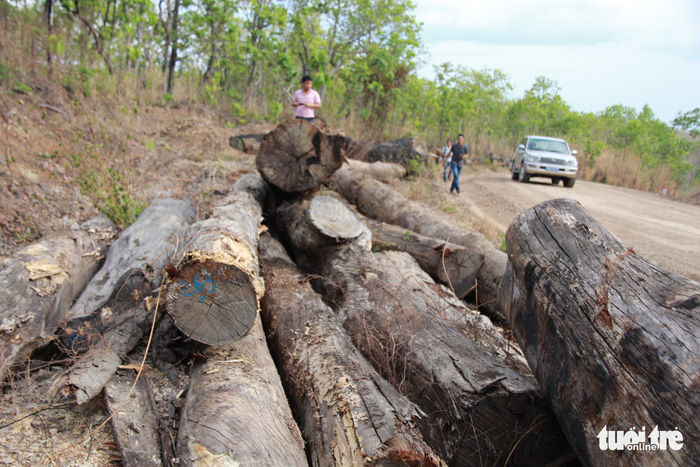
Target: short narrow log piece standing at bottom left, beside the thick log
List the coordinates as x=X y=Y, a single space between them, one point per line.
x=135 y=421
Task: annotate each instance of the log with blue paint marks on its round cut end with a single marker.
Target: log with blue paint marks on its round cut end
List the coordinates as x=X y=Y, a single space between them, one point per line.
x=215 y=287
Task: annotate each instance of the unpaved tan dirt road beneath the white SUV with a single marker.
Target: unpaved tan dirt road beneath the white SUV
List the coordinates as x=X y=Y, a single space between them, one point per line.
x=662 y=230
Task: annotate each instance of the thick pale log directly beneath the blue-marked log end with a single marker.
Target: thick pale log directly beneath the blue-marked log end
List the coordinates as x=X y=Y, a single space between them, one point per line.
x=236 y=412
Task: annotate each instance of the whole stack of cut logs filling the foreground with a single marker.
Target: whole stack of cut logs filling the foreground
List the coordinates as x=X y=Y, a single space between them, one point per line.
x=332 y=338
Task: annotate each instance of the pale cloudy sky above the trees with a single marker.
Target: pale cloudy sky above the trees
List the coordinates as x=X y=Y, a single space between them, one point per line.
x=600 y=52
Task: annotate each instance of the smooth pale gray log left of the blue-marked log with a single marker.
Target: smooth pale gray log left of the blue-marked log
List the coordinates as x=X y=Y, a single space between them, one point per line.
x=139 y=255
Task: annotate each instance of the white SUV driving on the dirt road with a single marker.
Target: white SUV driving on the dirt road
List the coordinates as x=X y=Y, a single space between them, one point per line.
x=541 y=156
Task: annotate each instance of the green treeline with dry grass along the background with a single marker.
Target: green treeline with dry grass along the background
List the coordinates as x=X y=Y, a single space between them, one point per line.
x=248 y=56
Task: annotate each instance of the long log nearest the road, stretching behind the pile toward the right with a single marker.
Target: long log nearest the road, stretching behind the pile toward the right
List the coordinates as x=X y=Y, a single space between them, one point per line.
x=379 y=201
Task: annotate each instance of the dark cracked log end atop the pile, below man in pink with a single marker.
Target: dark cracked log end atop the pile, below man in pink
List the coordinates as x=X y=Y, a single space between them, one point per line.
x=298 y=156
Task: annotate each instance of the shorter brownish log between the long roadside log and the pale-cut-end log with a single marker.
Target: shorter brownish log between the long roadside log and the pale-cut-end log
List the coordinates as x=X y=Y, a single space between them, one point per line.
x=449 y=263
